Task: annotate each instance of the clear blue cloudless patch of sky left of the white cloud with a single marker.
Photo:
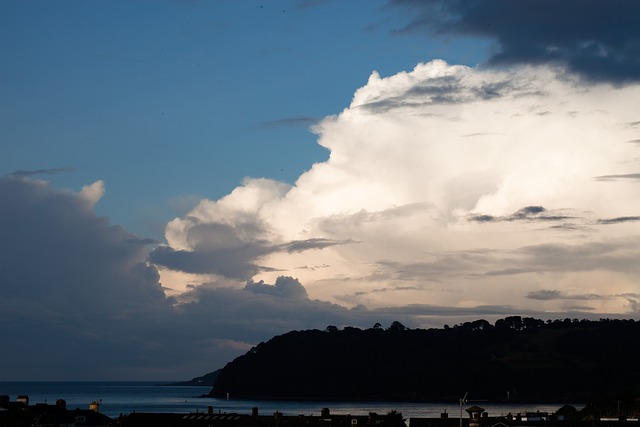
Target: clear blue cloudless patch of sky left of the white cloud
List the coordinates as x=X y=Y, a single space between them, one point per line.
x=174 y=101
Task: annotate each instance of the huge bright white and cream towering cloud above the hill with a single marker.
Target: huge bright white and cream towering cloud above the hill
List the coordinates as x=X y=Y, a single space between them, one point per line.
x=448 y=186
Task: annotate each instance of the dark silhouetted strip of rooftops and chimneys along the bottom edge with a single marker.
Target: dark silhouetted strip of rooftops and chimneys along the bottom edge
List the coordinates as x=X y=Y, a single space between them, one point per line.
x=19 y=415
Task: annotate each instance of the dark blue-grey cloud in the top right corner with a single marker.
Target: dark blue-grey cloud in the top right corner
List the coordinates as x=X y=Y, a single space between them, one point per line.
x=600 y=40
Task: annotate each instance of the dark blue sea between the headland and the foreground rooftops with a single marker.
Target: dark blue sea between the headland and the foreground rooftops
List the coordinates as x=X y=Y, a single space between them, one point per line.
x=123 y=397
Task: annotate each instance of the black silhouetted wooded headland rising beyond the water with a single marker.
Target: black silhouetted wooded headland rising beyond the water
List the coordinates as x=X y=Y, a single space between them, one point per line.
x=520 y=359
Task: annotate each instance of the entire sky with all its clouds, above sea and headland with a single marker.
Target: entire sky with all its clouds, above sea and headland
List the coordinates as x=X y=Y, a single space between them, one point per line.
x=181 y=180
